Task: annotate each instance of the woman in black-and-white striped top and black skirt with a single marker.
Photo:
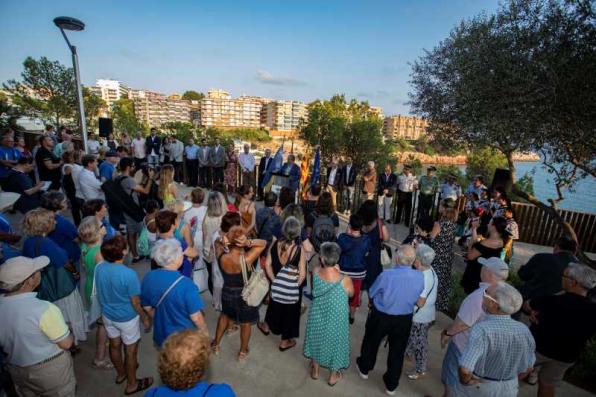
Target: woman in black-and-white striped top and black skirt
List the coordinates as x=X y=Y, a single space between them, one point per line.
x=286 y=268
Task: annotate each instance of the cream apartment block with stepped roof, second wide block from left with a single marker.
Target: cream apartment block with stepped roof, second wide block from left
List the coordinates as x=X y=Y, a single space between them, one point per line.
x=219 y=109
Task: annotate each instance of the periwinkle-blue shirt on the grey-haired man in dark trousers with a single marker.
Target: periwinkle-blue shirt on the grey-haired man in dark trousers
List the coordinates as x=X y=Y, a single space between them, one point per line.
x=397 y=290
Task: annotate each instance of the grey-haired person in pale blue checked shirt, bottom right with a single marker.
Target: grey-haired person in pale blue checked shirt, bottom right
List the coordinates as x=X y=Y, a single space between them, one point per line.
x=500 y=349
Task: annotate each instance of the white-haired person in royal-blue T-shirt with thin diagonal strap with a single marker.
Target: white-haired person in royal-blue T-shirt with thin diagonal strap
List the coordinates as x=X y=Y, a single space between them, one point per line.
x=173 y=300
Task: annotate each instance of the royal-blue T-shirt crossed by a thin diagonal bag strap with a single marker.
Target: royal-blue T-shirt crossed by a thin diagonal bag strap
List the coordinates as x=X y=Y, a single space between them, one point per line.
x=173 y=314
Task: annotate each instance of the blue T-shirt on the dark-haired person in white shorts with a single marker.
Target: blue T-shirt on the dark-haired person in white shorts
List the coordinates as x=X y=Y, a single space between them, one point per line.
x=116 y=284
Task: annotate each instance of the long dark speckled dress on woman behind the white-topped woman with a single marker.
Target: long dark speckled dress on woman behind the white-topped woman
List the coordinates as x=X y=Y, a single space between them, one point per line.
x=443 y=246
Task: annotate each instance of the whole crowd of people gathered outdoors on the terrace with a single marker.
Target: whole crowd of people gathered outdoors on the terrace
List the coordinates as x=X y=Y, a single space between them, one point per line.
x=267 y=266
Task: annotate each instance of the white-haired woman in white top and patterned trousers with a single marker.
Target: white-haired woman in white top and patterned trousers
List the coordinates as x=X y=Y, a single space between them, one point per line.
x=424 y=312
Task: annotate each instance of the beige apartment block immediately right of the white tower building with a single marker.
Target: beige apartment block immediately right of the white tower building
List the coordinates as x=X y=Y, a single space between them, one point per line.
x=156 y=109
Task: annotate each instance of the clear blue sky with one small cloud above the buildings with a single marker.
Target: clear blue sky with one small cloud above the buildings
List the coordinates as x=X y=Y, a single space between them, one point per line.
x=300 y=50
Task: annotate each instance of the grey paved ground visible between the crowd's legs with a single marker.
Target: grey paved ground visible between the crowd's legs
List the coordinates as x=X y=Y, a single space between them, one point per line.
x=269 y=372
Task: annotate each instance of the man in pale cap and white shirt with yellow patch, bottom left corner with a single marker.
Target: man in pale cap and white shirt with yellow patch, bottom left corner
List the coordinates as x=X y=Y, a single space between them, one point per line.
x=36 y=338
